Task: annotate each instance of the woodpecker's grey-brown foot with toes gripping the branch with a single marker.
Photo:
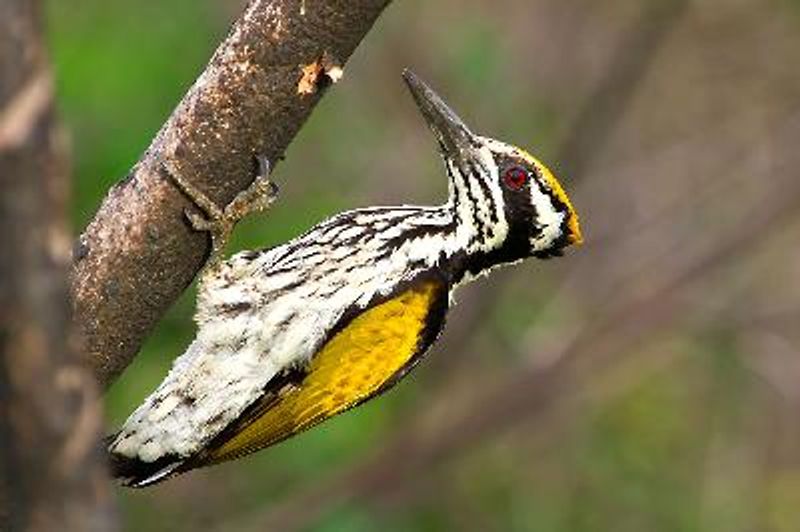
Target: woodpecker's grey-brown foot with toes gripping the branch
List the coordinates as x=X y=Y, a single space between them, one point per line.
x=219 y=223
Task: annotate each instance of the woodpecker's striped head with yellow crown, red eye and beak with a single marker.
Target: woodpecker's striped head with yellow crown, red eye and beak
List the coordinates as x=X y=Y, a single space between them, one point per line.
x=506 y=202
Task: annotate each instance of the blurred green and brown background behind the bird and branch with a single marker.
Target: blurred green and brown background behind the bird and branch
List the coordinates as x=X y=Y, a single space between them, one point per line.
x=649 y=380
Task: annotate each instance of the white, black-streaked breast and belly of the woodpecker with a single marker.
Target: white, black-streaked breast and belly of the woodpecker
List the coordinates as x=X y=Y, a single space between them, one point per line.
x=263 y=314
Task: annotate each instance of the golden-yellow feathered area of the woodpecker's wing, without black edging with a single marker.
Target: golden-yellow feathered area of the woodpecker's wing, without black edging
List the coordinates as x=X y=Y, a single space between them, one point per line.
x=351 y=367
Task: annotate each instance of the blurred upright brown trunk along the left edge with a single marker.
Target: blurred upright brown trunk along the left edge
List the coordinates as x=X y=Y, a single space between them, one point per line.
x=51 y=468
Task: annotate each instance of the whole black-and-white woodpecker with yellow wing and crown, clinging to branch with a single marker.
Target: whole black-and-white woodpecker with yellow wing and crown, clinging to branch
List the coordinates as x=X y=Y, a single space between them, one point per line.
x=292 y=335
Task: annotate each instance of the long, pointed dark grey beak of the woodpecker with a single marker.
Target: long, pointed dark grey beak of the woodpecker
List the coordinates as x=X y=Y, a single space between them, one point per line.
x=456 y=139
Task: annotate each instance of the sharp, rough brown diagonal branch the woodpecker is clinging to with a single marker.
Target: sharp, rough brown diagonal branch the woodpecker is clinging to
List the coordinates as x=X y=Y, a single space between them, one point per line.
x=138 y=254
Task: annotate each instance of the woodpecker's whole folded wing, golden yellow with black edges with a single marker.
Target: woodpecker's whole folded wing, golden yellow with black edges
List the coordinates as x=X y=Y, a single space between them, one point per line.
x=367 y=356
